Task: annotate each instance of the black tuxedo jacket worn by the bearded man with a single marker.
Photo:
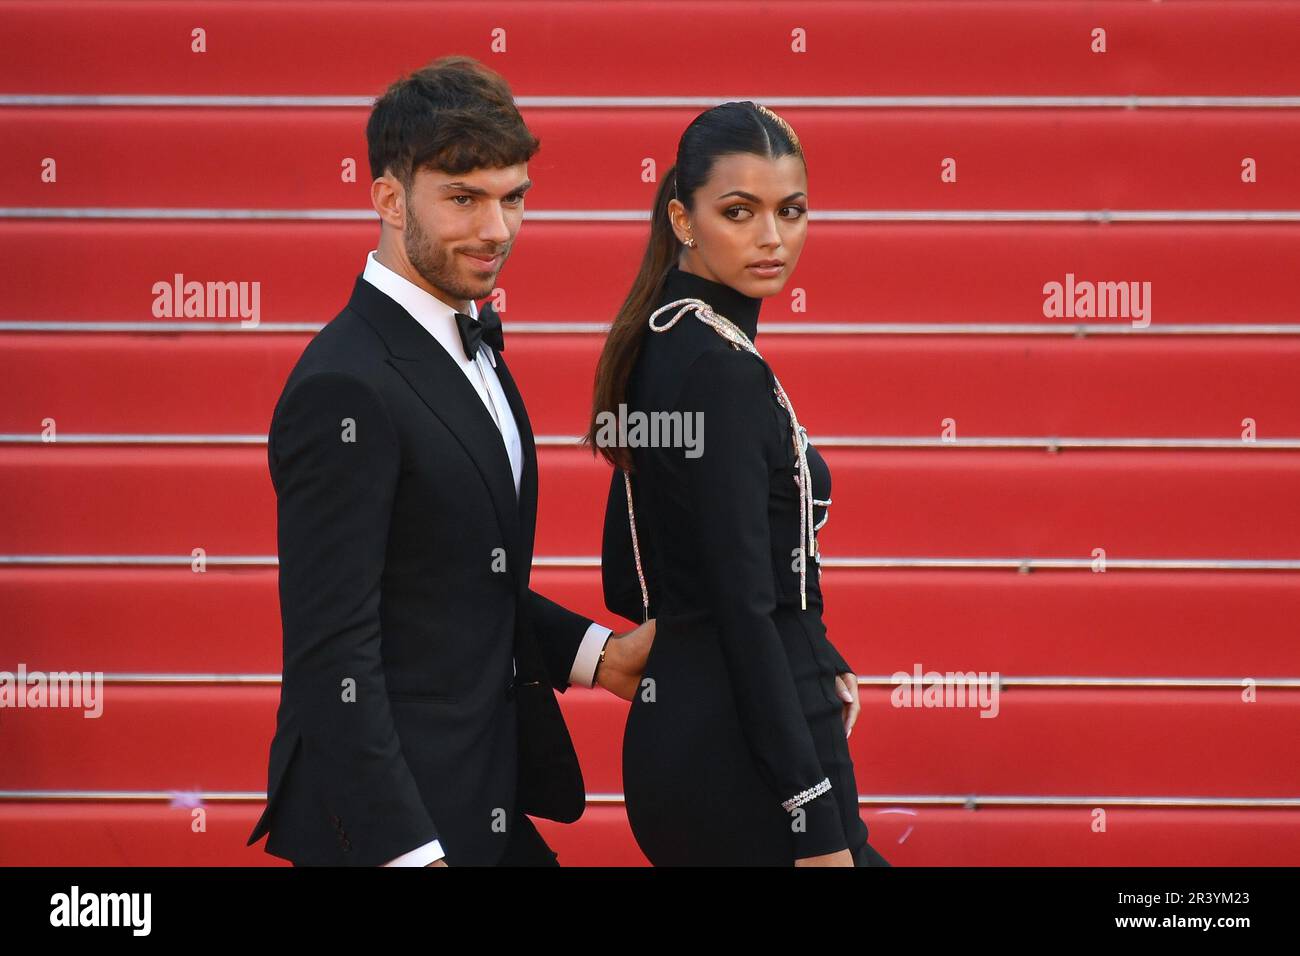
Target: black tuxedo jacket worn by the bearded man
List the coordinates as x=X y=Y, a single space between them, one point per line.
x=405 y=595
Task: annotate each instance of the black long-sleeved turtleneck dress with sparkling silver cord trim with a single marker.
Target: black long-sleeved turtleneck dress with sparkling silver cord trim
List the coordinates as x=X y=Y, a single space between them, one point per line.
x=738 y=711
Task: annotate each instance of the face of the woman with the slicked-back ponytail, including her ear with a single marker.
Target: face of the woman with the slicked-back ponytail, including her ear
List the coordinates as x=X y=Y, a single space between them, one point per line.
x=752 y=211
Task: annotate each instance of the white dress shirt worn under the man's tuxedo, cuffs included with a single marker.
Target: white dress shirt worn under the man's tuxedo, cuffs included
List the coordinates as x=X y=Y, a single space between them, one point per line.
x=440 y=321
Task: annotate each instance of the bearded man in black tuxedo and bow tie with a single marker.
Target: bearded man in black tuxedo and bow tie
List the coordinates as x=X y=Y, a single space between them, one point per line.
x=418 y=723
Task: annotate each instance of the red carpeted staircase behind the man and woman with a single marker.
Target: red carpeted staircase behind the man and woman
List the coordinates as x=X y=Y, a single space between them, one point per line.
x=987 y=458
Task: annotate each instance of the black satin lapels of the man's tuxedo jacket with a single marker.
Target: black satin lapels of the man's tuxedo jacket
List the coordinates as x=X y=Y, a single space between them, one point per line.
x=443 y=386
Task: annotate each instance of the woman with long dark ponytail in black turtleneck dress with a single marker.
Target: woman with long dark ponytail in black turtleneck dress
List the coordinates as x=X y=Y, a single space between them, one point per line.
x=736 y=747
